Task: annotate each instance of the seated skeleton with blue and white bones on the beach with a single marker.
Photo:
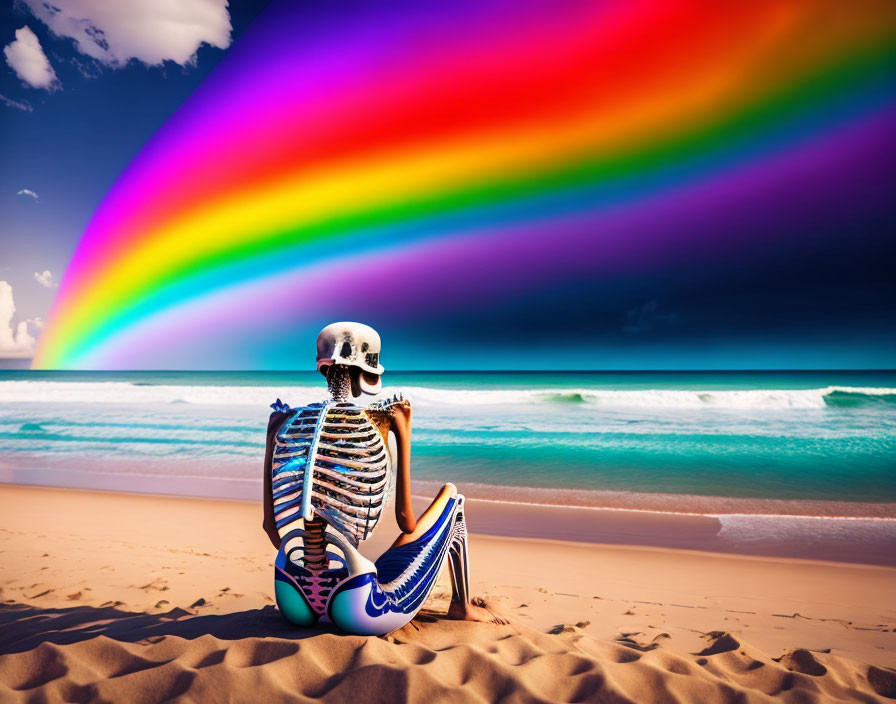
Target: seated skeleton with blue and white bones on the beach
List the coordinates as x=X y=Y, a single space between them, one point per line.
x=330 y=473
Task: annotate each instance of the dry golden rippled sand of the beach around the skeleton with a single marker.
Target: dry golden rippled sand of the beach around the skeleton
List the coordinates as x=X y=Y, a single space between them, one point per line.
x=121 y=597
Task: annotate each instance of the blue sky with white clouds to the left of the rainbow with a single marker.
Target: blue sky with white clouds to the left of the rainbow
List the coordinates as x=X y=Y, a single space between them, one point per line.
x=72 y=115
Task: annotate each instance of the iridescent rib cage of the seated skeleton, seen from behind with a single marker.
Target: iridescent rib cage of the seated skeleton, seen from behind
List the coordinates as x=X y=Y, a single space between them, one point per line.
x=348 y=476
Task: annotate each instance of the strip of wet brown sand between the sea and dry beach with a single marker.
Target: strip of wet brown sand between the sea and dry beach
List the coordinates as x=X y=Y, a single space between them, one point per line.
x=855 y=540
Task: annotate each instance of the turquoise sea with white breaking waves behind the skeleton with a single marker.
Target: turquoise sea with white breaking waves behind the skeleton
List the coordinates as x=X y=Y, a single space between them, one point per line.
x=760 y=435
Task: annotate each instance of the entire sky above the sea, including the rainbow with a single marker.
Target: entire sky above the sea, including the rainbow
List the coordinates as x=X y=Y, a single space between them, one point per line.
x=769 y=247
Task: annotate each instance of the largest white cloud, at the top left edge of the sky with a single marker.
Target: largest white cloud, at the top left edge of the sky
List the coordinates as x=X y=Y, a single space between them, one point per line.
x=152 y=31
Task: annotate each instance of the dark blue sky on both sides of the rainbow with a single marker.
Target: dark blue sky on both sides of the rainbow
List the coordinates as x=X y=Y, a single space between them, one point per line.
x=823 y=299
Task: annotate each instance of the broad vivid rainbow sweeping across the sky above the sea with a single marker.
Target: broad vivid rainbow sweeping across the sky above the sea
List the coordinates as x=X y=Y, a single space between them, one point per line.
x=433 y=158
